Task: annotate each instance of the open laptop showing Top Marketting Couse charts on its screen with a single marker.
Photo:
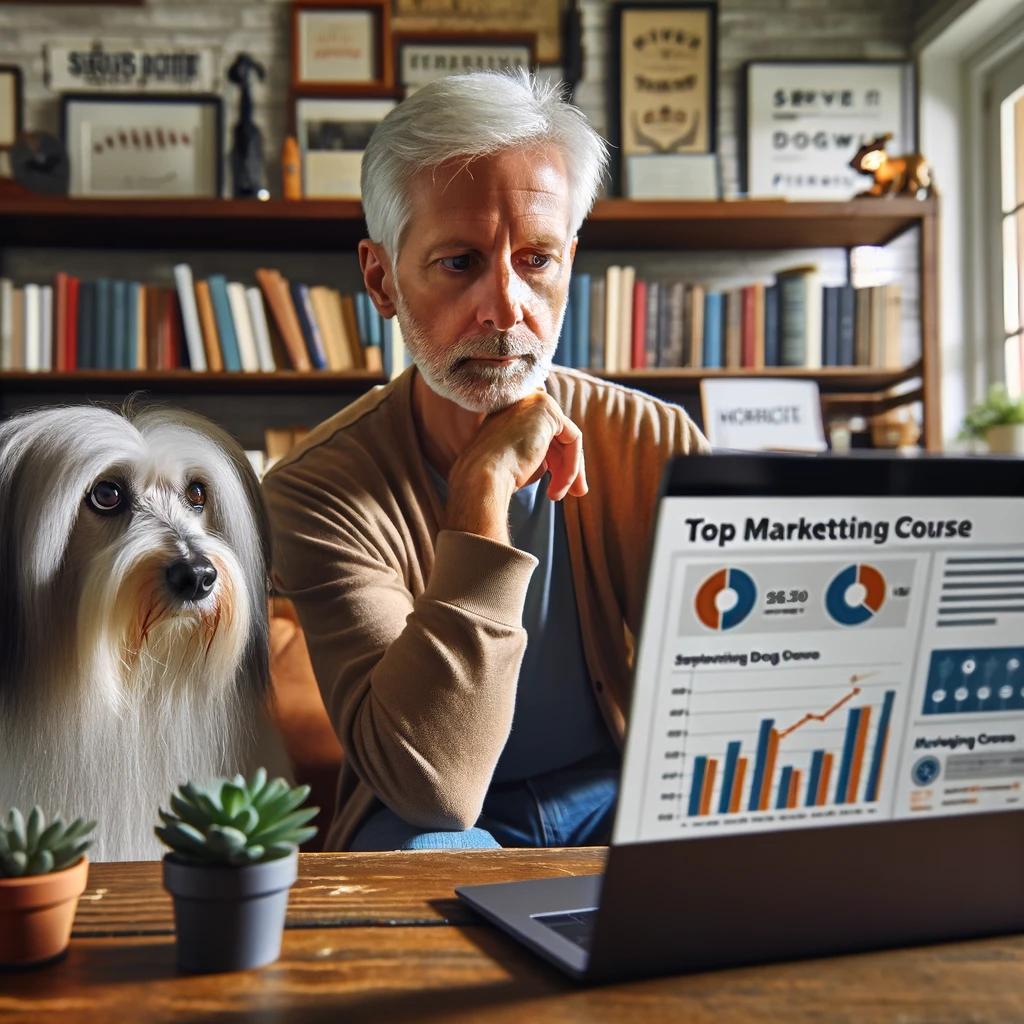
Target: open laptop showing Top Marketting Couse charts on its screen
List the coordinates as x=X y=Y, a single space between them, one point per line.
x=826 y=745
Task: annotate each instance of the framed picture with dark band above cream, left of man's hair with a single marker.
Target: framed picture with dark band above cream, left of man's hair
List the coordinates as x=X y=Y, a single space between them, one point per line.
x=332 y=135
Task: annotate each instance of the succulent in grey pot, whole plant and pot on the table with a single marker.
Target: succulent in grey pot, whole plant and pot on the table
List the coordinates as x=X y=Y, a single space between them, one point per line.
x=234 y=859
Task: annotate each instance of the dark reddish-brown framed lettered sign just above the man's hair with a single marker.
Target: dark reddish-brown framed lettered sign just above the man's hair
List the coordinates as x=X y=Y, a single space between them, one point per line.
x=421 y=58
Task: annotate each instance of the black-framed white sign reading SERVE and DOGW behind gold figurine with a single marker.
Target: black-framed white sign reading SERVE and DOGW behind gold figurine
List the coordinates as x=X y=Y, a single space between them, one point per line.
x=804 y=120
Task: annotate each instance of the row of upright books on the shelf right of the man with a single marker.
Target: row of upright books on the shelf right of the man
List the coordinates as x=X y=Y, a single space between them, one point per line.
x=616 y=323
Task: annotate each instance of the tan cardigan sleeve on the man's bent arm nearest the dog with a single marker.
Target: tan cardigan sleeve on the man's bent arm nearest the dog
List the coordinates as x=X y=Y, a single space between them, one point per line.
x=421 y=691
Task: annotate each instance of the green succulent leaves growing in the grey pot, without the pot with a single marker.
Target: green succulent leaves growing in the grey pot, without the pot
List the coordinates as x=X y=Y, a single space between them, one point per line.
x=235 y=822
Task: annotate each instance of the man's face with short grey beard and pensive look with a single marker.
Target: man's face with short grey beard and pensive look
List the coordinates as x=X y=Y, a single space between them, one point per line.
x=484 y=274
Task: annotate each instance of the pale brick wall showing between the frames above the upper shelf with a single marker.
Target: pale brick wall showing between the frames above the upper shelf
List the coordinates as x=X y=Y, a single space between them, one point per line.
x=748 y=30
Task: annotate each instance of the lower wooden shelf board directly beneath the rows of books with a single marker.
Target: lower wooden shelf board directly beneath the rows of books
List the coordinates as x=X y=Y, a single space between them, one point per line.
x=836 y=380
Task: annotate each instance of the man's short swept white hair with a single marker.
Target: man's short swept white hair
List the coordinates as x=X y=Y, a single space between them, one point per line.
x=464 y=117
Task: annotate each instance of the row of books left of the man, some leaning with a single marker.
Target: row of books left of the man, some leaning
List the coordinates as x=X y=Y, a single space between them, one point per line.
x=202 y=325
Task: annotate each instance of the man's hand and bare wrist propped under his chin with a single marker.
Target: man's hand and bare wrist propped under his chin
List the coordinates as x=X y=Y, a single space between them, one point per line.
x=513 y=449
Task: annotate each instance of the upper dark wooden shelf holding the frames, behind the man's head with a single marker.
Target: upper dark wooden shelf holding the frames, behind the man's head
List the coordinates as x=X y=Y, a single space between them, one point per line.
x=337 y=226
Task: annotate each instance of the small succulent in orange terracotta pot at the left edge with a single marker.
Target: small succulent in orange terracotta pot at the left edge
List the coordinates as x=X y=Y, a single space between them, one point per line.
x=44 y=870
